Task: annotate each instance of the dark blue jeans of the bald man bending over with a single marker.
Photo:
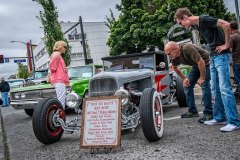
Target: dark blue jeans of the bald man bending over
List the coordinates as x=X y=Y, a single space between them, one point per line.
x=193 y=77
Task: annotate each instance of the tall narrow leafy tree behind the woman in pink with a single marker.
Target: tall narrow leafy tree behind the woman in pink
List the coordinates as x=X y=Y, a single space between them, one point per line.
x=52 y=28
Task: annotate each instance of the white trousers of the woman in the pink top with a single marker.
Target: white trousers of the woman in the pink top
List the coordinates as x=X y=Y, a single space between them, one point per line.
x=61 y=93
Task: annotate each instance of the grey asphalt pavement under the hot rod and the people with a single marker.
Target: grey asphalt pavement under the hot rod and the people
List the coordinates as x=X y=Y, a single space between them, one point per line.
x=182 y=139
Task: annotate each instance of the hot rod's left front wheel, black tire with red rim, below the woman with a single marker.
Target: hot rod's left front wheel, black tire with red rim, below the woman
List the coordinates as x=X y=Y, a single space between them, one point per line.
x=43 y=123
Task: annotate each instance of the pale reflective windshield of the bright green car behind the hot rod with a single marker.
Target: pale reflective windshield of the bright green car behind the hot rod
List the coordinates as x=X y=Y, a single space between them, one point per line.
x=80 y=72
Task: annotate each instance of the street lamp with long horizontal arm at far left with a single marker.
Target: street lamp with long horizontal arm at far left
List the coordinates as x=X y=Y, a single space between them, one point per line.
x=29 y=51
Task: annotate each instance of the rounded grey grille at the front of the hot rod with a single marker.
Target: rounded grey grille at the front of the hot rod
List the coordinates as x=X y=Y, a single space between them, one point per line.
x=102 y=87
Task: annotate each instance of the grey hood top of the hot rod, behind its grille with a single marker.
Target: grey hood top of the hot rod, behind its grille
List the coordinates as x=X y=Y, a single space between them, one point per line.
x=125 y=75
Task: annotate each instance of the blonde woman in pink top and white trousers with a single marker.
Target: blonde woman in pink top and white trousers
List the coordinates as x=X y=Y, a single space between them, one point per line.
x=59 y=75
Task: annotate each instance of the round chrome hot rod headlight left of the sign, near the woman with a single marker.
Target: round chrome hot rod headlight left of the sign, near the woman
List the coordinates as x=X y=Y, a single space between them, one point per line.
x=73 y=100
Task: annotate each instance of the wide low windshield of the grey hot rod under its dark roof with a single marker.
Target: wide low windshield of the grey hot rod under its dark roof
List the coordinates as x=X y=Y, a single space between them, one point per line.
x=130 y=63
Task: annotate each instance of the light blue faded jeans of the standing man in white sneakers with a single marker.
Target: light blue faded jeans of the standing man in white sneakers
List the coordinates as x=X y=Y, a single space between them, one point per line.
x=224 y=100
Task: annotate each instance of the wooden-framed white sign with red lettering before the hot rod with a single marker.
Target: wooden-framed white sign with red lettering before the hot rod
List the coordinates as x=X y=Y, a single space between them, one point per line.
x=101 y=124
